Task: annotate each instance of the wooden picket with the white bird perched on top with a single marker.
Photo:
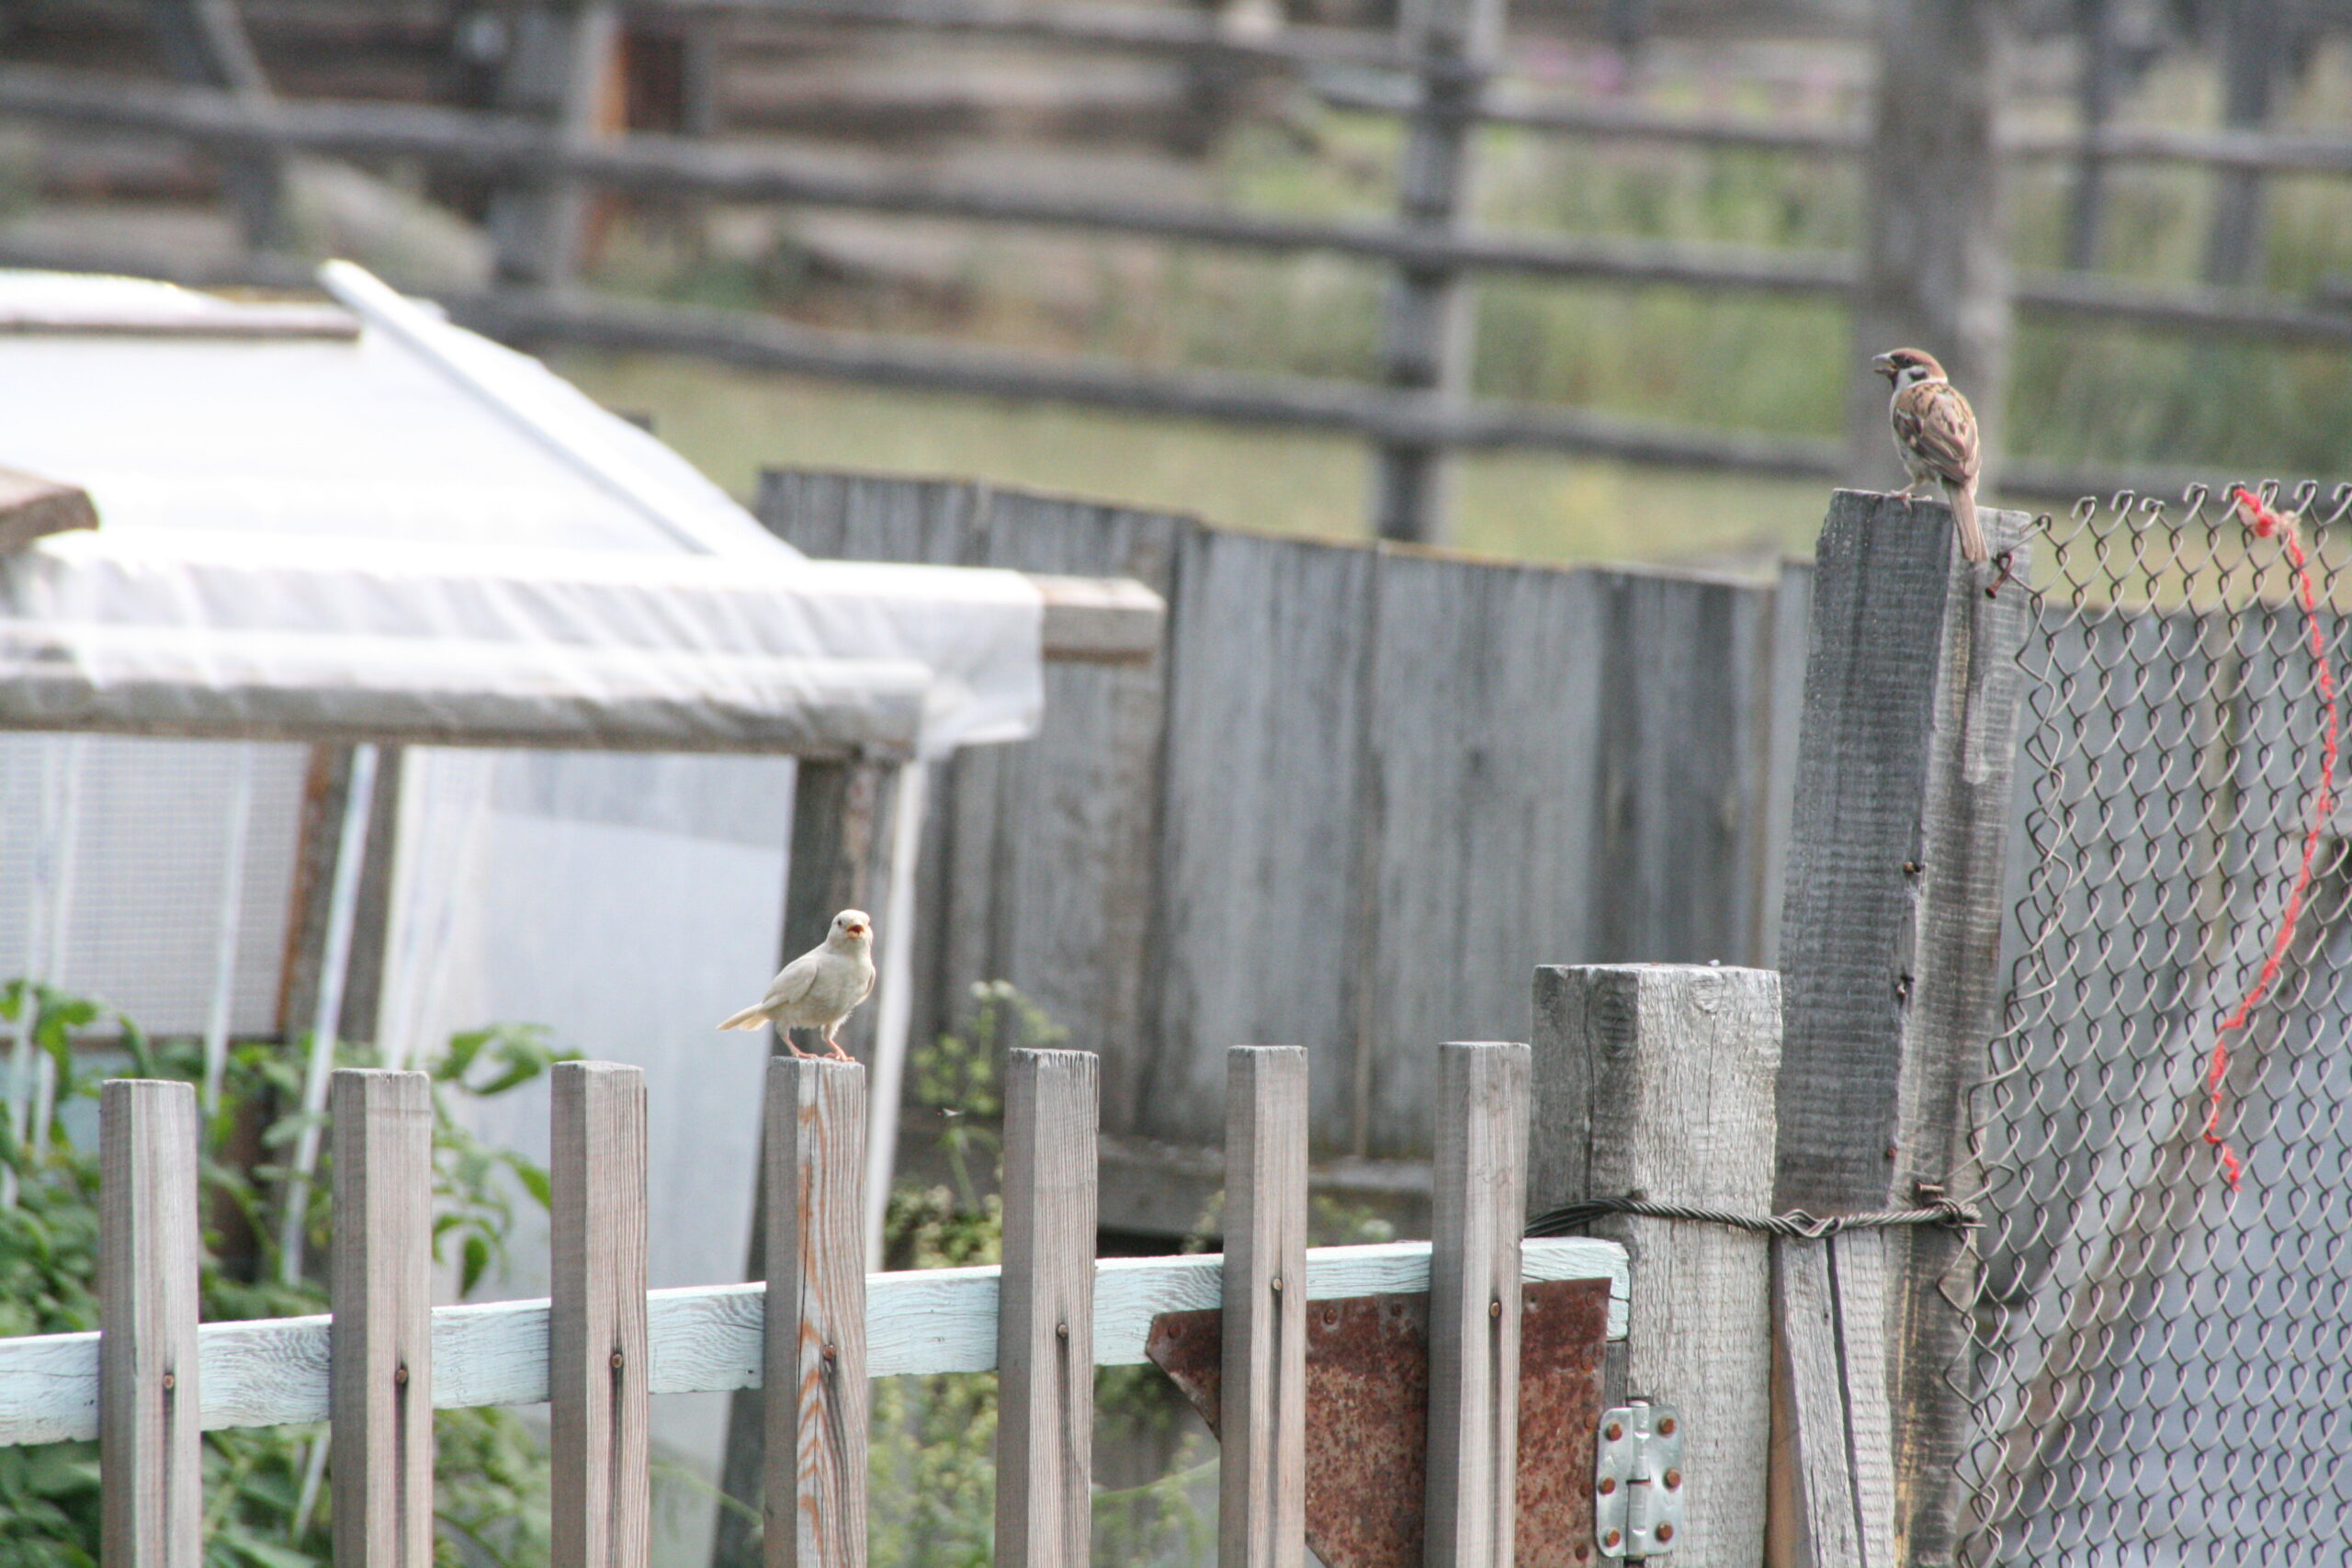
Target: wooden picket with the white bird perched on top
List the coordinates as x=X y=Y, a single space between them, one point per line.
x=815 y=1367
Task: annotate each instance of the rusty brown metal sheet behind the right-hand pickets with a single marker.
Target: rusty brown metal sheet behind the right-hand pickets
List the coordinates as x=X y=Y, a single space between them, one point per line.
x=1370 y=1409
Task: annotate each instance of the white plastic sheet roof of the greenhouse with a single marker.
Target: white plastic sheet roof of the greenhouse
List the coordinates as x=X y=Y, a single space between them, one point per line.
x=387 y=528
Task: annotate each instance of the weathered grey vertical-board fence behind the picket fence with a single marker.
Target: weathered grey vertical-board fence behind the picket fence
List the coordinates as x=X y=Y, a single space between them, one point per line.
x=1361 y=796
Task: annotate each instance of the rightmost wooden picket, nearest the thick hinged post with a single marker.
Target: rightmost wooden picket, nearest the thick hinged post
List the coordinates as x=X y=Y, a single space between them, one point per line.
x=1478 y=1207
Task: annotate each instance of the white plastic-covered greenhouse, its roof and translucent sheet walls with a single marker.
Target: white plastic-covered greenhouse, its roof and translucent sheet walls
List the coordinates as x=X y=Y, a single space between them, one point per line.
x=359 y=523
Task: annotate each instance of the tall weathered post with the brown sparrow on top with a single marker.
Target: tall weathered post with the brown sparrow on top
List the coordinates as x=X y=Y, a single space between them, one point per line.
x=1890 y=956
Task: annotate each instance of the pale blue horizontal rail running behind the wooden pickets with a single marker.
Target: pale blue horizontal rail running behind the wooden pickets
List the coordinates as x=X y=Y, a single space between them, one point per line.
x=707 y=1339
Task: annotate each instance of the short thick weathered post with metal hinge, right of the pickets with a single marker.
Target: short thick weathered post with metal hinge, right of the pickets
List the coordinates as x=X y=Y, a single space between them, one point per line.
x=1659 y=1080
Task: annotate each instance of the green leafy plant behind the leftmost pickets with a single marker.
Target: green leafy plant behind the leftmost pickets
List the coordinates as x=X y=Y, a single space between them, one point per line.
x=267 y=1499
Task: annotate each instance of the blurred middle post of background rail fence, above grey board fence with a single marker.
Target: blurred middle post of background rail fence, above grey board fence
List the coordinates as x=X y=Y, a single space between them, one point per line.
x=1426 y=328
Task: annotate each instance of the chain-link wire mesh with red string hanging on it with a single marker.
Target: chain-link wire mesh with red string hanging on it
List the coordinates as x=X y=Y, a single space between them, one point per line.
x=2163 y=1365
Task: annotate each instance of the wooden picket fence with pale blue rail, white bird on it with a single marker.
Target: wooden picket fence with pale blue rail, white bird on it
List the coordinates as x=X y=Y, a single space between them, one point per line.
x=154 y=1379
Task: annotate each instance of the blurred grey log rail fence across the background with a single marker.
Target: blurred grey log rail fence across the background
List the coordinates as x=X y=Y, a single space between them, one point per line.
x=1443 y=74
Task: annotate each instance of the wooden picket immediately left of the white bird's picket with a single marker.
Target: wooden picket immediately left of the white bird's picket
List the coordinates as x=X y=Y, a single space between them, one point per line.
x=596 y=1318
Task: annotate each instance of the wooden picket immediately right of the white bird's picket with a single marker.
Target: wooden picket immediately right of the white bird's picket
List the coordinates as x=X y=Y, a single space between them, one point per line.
x=1045 y=1315
